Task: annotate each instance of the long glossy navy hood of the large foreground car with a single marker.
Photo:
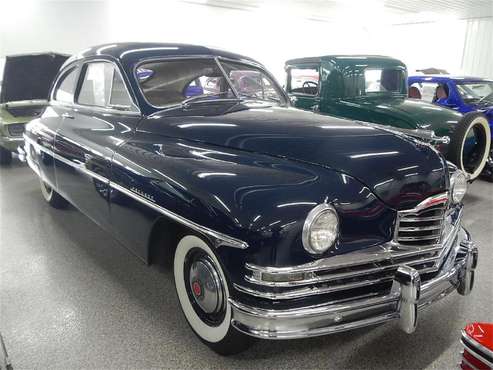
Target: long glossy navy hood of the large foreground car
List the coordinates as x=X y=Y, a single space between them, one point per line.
x=401 y=171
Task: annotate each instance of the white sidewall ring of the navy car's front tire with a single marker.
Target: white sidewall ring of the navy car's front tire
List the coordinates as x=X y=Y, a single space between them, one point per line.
x=209 y=334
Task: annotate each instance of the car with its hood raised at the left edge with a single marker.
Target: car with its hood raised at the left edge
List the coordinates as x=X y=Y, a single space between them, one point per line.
x=23 y=96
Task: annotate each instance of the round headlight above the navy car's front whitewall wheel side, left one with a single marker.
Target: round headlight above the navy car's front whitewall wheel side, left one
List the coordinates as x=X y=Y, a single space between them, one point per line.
x=321 y=229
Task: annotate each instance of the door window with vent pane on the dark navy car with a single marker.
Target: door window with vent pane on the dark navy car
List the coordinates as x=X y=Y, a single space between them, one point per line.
x=103 y=86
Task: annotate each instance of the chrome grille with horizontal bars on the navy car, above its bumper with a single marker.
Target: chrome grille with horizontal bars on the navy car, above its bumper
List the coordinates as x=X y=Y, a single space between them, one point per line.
x=422 y=238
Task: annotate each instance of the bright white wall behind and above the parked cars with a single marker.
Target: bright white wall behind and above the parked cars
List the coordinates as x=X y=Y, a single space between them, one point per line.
x=269 y=32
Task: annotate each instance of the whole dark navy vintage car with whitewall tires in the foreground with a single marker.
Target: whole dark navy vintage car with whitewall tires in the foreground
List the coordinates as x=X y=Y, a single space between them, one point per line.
x=279 y=223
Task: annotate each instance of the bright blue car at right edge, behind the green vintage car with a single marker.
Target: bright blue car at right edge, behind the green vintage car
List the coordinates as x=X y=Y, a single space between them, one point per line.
x=461 y=93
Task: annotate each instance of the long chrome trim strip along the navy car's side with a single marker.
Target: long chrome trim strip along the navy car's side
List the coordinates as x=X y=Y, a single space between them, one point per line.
x=219 y=239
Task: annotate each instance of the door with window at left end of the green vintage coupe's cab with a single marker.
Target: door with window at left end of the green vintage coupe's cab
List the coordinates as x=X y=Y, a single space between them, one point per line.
x=303 y=86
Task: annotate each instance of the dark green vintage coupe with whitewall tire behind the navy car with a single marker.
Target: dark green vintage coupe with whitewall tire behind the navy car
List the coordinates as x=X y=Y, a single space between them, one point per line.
x=374 y=89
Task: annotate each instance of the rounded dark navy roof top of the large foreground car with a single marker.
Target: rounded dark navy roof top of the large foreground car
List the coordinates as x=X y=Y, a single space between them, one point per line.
x=132 y=52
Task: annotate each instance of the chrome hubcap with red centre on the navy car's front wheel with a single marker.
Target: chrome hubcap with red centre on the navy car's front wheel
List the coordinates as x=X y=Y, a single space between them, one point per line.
x=206 y=286
